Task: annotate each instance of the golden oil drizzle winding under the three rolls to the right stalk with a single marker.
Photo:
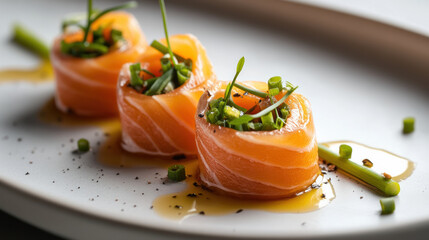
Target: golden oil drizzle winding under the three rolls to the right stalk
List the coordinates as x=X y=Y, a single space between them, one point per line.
x=196 y=200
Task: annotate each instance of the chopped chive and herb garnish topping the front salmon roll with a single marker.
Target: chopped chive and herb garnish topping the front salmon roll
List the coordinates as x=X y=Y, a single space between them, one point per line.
x=224 y=112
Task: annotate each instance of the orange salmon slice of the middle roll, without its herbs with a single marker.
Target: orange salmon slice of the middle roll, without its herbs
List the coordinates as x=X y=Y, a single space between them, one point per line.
x=164 y=124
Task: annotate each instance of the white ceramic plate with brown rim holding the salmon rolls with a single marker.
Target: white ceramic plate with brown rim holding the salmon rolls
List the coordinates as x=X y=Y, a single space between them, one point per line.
x=351 y=79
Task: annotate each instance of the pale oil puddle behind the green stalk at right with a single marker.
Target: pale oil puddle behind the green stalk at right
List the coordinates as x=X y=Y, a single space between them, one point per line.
x=383 y=161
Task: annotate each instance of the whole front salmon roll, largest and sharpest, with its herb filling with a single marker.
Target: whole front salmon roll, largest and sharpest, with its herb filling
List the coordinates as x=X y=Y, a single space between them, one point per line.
x=256 y=141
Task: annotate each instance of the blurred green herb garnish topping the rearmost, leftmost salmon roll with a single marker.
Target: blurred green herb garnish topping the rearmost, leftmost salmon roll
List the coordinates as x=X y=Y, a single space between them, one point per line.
x=100 y=44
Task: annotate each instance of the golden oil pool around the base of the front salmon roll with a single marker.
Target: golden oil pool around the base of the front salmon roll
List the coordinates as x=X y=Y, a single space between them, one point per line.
x=196 y=200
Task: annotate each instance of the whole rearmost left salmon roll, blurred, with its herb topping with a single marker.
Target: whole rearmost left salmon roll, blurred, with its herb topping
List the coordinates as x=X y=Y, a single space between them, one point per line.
x=87 y=61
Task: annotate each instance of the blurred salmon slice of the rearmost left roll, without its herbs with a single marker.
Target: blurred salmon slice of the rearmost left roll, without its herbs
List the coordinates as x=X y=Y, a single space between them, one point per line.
x=87 y=86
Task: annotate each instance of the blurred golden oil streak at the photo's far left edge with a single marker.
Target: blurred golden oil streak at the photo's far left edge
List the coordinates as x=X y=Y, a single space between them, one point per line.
x=42 y=73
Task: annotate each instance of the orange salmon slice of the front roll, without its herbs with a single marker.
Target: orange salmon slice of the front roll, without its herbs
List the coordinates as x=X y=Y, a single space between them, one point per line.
x=257 y=164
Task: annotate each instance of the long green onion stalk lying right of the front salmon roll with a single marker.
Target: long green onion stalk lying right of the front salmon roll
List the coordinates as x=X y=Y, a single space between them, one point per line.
x=387 y=186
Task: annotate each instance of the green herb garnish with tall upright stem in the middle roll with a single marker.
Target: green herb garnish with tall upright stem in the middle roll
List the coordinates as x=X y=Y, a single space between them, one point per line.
x=176 y=70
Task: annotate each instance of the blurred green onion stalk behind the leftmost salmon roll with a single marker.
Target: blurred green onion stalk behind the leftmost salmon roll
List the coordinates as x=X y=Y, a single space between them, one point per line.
x=28 y=40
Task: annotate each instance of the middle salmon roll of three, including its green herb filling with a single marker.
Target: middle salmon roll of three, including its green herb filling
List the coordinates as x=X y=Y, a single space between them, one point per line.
x=158 y=96
